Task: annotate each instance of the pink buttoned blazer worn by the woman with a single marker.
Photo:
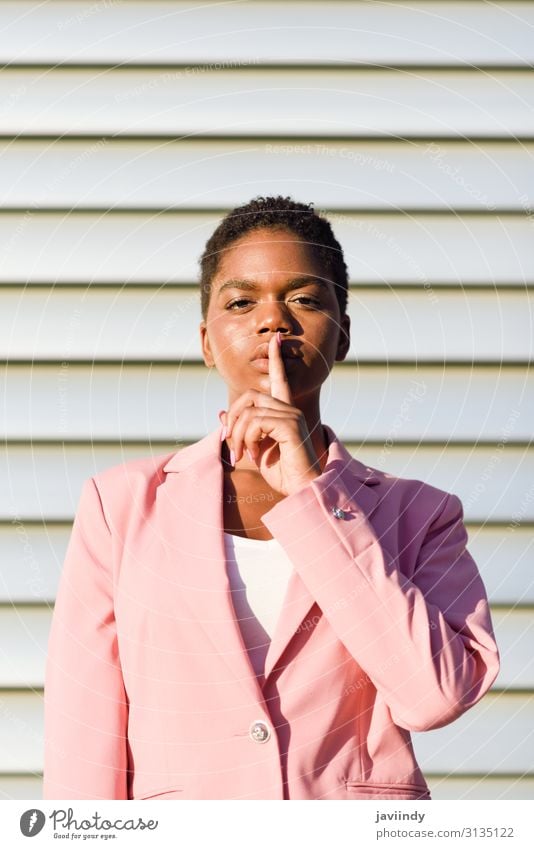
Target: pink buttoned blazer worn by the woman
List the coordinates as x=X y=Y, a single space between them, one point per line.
x=149 y=691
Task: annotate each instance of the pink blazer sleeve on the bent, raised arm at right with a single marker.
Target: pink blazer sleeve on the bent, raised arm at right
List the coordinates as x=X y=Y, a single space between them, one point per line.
x=425 y=642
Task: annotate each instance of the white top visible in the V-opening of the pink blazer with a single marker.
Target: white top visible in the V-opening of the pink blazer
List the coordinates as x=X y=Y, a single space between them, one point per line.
x=258 y=571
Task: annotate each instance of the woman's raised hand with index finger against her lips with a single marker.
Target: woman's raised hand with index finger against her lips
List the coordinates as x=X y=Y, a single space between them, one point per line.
x=274 y=431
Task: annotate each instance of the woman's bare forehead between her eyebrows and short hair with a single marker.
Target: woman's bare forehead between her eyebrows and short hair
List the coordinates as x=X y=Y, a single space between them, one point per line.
x=267 y=253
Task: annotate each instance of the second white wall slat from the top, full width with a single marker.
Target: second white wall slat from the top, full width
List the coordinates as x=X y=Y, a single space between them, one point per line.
x=250 y=101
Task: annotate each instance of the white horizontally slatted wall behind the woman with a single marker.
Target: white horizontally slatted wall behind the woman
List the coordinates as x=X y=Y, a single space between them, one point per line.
x=126 y=130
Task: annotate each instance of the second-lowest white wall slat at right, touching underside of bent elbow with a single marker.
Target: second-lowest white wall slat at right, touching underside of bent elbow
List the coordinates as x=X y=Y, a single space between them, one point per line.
x=496 y=735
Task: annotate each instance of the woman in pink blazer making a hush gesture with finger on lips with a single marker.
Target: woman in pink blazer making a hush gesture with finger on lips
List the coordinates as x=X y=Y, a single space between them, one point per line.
x=259 y=615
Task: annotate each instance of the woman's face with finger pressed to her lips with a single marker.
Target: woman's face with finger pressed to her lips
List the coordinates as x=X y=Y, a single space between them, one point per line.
x=268 y=281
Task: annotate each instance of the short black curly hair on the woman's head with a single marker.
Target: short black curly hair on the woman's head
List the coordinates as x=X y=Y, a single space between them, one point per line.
x=280 y=213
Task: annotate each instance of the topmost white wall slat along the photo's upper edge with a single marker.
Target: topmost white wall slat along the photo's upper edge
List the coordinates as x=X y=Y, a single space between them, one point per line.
x=392 y=33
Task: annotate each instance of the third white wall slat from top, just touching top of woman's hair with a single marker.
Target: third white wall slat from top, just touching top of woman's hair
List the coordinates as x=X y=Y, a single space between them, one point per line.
x=355 y=175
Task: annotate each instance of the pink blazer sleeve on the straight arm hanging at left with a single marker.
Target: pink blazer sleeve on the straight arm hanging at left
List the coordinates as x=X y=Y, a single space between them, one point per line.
x=85 y=704
